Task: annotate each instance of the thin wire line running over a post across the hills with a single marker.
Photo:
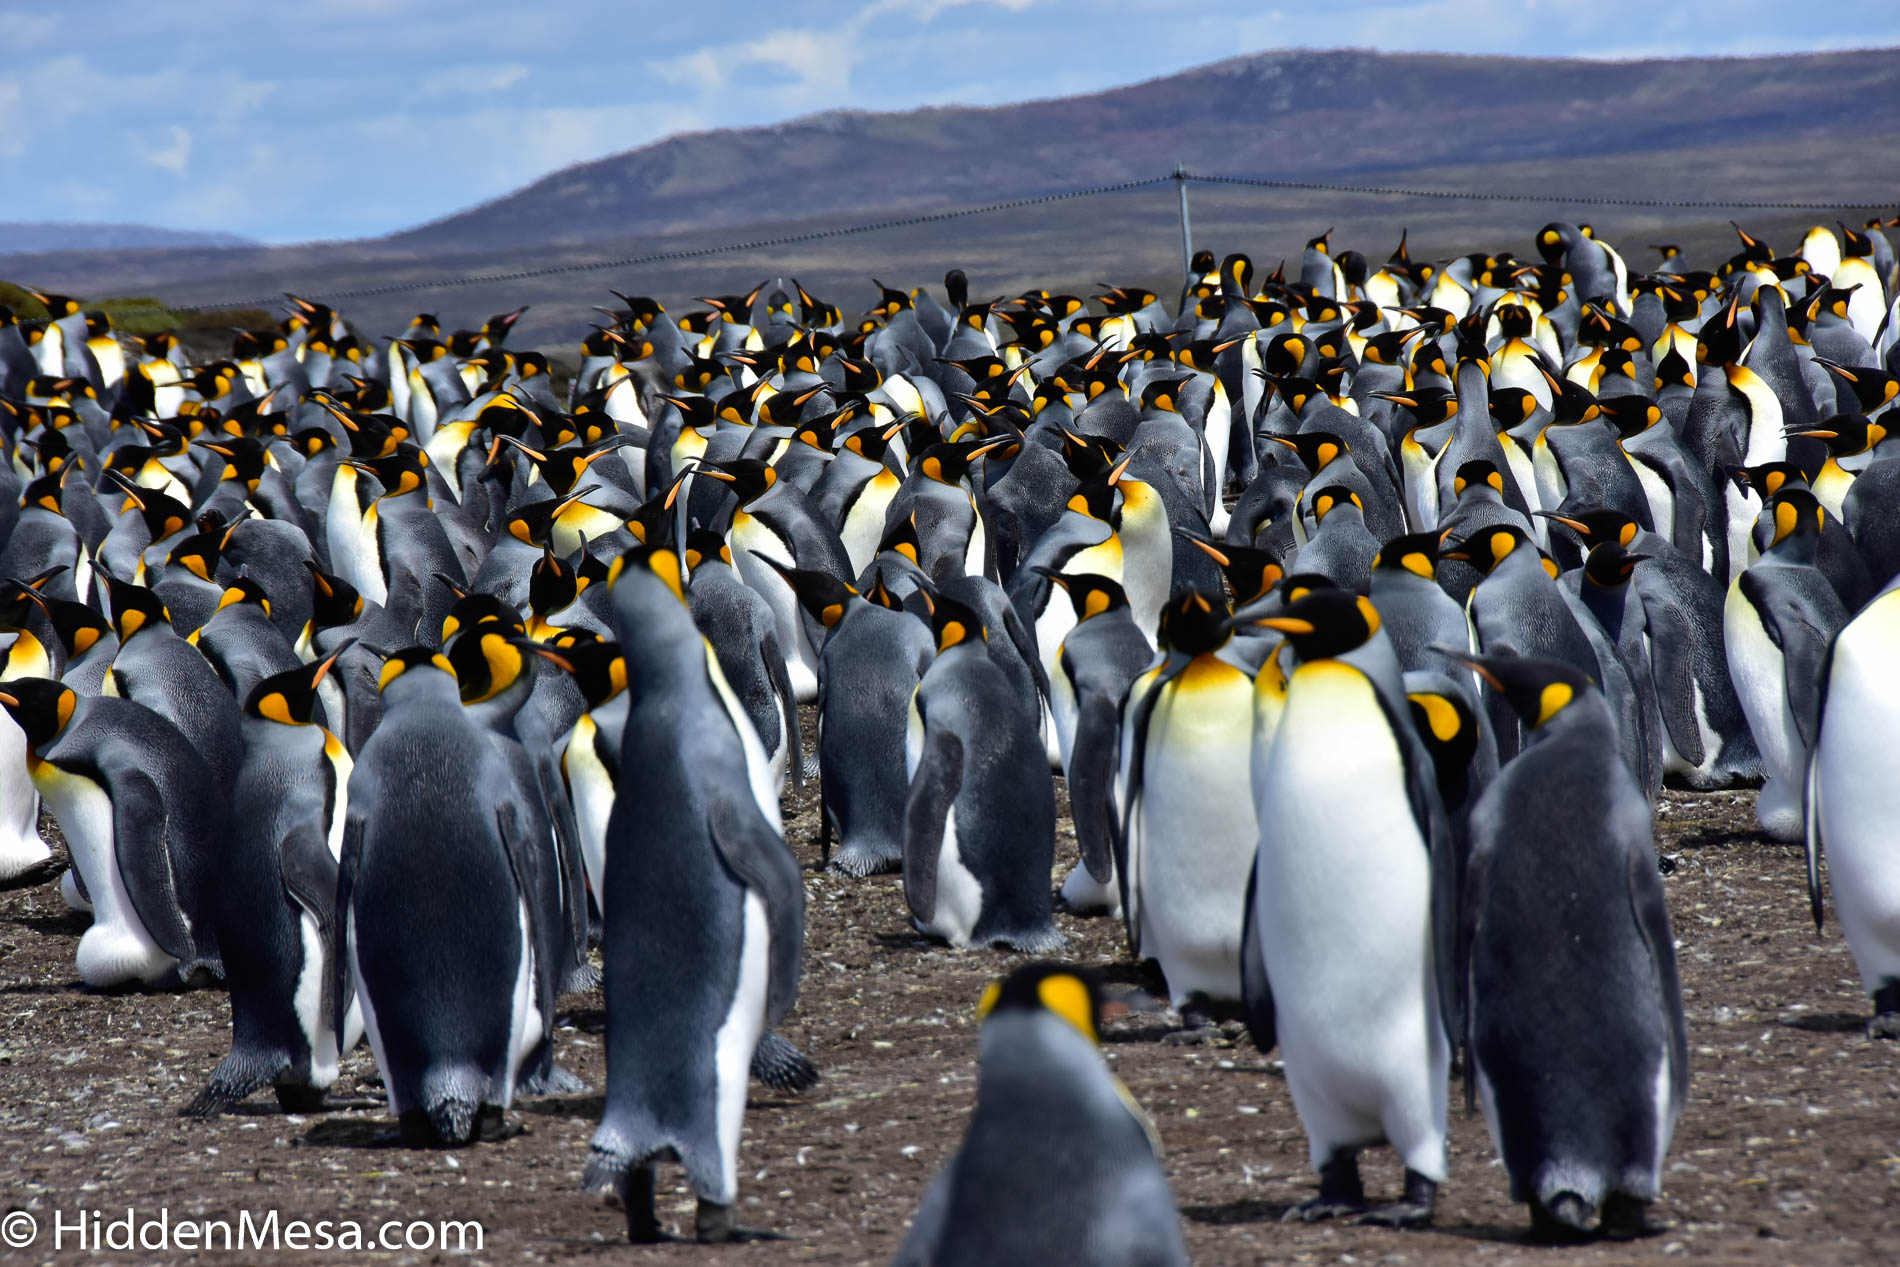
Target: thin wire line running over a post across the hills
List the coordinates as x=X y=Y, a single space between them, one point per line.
x=1181 y=176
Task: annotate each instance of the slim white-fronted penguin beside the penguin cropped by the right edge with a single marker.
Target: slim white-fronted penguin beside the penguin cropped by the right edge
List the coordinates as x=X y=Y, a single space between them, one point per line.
x=1779 y=622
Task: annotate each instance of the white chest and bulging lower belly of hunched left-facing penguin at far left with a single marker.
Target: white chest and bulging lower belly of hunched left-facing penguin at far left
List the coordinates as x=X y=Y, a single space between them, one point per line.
x=117 y=949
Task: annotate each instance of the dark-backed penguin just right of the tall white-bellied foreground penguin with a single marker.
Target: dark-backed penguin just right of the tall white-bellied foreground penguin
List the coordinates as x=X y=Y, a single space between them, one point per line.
x=1576 y=1031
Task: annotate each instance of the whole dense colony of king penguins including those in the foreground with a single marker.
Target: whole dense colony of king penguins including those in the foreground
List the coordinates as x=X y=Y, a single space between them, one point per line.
x=1365 y=615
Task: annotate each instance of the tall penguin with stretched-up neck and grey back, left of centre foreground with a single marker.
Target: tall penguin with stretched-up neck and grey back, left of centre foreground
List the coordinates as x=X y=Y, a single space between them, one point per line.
x=698 y=880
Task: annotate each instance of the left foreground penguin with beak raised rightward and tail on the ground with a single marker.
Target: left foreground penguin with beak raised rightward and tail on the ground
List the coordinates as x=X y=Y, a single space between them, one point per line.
x=278 y=901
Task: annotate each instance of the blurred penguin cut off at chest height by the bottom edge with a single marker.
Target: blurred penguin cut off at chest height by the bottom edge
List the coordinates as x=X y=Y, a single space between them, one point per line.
x=1059 y=1163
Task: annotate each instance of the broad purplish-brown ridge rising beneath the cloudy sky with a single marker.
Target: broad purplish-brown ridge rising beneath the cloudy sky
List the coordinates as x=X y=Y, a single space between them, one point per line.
x=1282 y=113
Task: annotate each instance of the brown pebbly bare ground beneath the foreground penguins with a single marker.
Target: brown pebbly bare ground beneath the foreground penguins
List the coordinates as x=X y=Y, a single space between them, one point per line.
x=1787 y=1152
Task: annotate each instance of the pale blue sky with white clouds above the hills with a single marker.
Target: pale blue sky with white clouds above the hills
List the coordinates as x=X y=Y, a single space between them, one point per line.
x=349 y=119
